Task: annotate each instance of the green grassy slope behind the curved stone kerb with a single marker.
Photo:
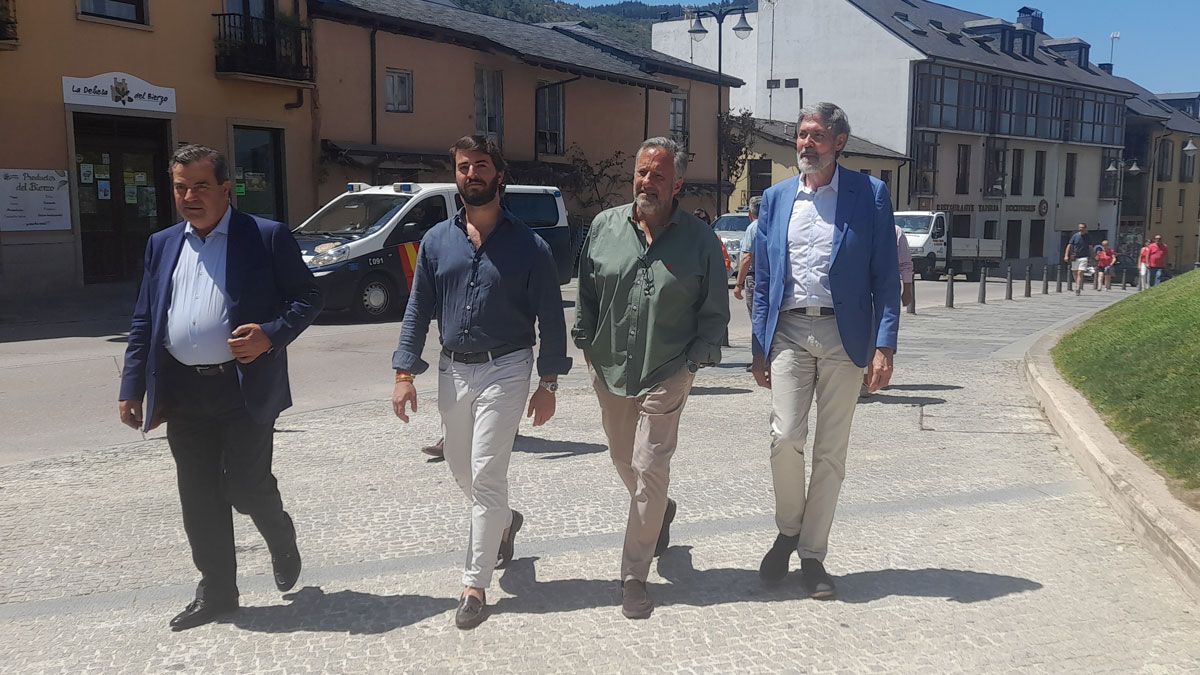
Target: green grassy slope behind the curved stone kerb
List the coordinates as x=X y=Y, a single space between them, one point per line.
x=1138 y=362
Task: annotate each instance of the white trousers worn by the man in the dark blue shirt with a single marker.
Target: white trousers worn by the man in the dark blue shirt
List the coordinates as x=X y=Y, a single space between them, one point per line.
x=482 y=407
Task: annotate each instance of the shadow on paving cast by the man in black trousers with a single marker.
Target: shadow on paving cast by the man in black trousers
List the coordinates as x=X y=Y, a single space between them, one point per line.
x=343 y=612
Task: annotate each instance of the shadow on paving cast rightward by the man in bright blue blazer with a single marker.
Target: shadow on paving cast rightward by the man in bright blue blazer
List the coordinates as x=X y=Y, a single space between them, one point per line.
x=955 y=586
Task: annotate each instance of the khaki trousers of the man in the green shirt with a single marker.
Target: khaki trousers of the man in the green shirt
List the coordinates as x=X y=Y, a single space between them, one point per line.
x=643 y=434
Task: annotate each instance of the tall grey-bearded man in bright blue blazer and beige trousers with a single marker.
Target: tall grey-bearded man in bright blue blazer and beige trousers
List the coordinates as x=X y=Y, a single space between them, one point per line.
x=826 y=307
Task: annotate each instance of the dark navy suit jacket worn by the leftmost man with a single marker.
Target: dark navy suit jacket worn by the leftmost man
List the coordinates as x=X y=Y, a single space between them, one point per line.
x=268 y=284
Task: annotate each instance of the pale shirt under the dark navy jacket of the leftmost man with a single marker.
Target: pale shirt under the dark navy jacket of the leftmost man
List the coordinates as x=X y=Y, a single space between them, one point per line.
x=199 y=318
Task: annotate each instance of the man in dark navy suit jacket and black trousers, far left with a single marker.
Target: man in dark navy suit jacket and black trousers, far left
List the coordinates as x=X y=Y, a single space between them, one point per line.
x=224 y=295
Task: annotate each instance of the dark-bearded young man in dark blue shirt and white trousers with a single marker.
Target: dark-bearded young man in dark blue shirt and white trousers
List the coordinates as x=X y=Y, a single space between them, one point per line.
x=487 y=277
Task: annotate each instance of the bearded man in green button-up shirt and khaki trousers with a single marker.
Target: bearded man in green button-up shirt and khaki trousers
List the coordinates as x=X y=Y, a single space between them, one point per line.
x=653 y=308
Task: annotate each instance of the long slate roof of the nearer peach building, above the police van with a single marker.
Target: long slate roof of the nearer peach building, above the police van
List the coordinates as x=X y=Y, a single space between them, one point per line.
x=535 y=45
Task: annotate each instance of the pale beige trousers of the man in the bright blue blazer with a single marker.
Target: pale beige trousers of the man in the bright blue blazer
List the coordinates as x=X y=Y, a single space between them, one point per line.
x=807 y=359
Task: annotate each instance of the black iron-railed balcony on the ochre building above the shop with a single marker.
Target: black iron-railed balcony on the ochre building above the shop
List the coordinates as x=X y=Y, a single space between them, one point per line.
x=262 y=49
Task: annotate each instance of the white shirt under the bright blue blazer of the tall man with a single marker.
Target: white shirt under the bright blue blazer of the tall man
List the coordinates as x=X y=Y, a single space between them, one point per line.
x=811 y=247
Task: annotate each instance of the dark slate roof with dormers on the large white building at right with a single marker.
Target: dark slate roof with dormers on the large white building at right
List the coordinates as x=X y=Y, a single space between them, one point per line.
x=935 y=44
